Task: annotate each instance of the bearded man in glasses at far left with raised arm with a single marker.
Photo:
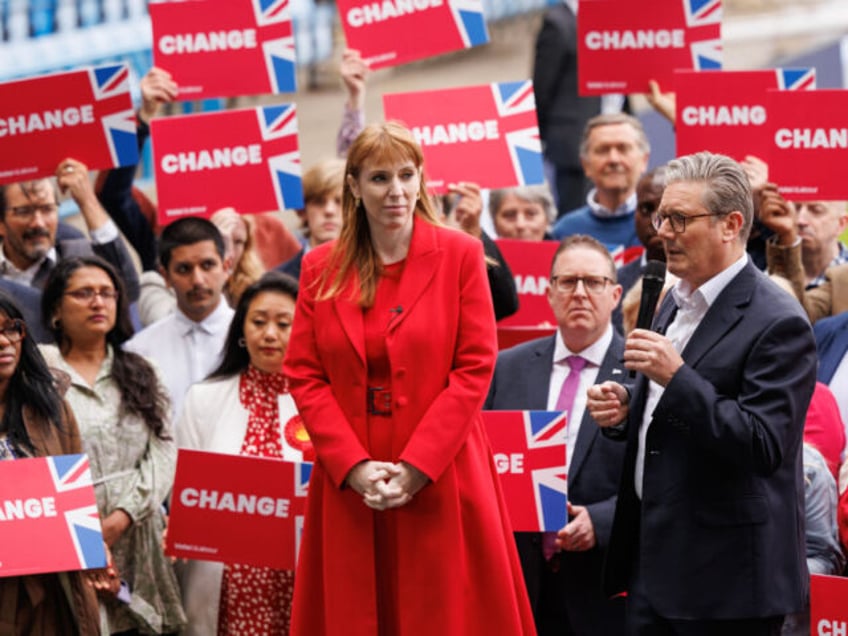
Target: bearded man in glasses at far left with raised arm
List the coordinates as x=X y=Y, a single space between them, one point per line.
x=29 y=219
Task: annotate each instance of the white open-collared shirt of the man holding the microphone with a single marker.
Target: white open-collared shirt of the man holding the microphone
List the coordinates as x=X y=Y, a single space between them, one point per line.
x=692 y=306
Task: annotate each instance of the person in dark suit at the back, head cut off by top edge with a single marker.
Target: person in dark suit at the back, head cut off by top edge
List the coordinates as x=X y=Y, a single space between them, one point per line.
x=562 y=113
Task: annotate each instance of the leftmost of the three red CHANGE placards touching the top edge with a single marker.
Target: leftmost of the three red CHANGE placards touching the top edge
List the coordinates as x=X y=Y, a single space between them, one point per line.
x=225 y=48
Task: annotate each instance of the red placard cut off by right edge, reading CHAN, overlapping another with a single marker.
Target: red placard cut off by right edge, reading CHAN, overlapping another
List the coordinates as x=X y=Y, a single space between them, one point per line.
x=808 y=139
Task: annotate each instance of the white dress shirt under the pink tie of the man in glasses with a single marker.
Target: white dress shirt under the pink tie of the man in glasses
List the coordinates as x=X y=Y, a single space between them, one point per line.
x=594 y=355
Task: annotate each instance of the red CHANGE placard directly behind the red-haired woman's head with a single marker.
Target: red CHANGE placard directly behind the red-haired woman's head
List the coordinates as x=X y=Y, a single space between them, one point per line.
x=485 y=134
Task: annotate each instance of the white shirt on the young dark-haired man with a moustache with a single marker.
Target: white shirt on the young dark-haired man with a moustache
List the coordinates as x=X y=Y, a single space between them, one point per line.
x=186 y=351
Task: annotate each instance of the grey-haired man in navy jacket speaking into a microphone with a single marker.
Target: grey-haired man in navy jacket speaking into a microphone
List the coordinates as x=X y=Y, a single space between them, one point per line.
x=708 y=536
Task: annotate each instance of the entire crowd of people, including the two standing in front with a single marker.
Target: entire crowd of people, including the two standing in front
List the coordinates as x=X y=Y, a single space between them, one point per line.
x=705 y=452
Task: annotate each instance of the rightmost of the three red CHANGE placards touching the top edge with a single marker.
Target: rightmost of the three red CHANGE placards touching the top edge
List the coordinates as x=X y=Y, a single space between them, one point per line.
x=623 y=44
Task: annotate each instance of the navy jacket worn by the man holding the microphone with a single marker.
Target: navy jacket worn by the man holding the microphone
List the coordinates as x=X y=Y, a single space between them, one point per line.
x=719 y=531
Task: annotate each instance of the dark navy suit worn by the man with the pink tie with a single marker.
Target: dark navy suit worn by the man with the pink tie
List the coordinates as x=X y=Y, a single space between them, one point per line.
x=521 y=382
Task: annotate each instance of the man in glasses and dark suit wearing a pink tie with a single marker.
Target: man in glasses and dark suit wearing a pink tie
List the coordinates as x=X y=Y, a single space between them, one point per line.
x=565 y=590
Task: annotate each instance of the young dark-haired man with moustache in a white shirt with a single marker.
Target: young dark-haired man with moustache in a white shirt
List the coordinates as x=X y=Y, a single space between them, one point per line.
x=187 y=345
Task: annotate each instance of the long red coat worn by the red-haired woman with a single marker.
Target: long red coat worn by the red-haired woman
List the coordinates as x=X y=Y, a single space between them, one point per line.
x=458 y=571
